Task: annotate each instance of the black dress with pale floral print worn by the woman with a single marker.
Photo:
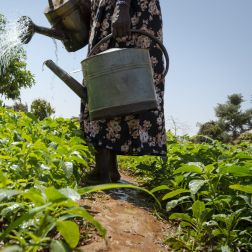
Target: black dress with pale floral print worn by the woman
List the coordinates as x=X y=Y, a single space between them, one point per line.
x=138 y=134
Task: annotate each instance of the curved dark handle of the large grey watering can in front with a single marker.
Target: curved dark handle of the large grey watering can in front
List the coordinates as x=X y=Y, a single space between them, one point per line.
x=143 y=33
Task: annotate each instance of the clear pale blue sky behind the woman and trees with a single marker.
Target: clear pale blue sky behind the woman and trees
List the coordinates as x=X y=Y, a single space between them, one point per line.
x=209 y=43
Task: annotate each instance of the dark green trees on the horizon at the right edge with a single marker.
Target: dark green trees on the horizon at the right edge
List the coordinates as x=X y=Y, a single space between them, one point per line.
x=231 y=120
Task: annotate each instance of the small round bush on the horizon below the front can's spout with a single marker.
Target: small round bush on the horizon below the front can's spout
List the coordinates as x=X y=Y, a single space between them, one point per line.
x=41 y=109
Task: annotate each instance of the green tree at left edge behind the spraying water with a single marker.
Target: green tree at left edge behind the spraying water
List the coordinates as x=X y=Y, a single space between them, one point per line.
x=14 y=76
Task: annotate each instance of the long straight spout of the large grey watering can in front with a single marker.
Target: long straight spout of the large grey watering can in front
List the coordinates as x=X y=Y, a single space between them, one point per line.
x=78 y=89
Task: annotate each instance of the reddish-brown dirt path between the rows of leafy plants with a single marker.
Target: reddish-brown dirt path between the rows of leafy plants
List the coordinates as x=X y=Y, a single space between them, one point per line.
x=128 y=217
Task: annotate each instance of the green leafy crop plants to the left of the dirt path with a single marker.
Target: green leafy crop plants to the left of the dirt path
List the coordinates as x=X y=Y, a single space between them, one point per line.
x=41 y=167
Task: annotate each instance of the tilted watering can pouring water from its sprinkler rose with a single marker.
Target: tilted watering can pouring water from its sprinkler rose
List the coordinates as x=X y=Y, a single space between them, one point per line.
x=70 y=21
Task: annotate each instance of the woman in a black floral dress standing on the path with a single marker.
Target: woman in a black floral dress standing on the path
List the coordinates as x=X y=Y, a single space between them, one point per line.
x=141 y=134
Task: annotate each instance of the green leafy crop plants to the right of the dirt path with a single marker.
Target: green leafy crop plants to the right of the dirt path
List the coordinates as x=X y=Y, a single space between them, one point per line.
x=206 y=188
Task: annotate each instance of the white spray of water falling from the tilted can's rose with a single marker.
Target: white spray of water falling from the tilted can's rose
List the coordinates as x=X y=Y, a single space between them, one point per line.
x=10 y=42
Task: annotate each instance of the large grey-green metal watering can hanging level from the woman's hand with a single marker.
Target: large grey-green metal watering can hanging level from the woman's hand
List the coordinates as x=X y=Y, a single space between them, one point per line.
x=119 y=81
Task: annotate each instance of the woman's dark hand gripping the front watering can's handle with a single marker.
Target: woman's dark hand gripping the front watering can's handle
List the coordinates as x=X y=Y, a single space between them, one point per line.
x=121 y=21
